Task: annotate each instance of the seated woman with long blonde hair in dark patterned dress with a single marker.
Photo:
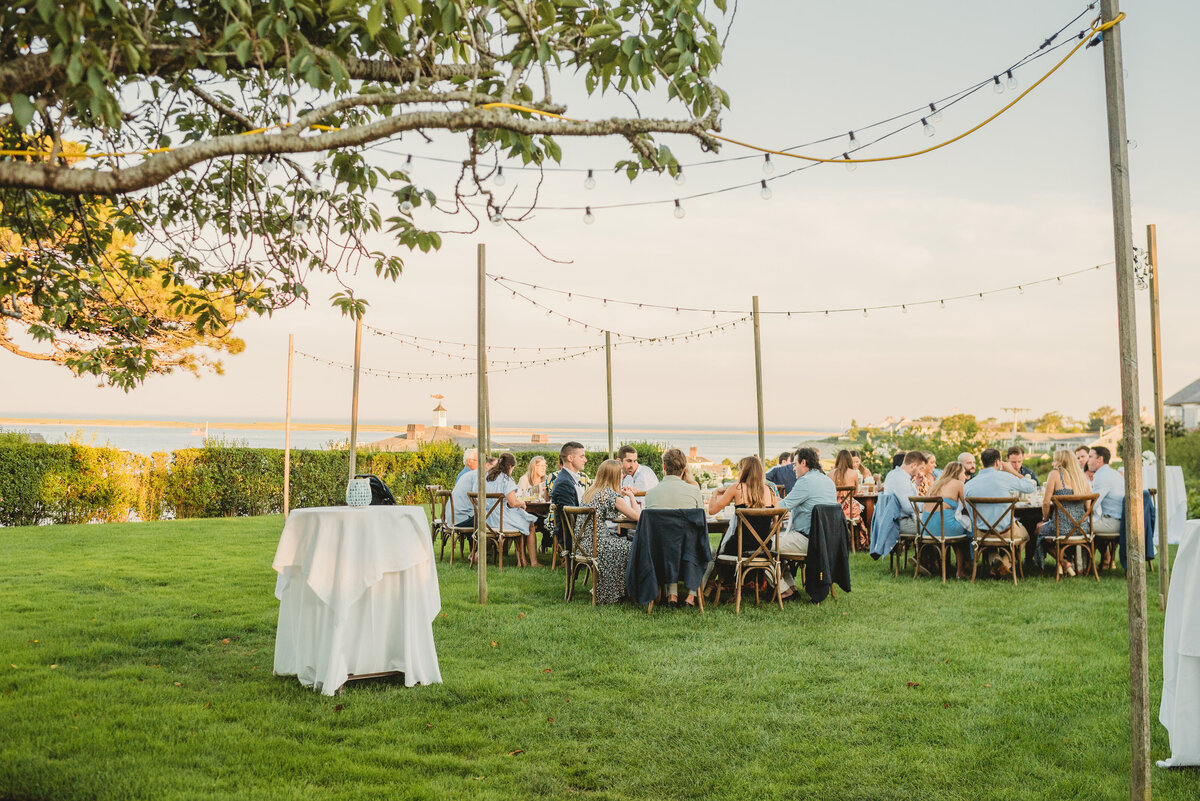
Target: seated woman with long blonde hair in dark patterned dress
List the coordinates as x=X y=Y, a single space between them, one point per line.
x=610 y=501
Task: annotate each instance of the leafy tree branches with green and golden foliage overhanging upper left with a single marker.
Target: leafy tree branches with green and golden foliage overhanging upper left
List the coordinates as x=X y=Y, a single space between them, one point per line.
x=231 y=138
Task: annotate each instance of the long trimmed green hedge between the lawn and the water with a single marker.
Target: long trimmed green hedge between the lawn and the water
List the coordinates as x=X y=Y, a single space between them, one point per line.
x=81 y=484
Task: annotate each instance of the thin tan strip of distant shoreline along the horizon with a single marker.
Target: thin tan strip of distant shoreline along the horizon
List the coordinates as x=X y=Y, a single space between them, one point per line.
x=368 y=427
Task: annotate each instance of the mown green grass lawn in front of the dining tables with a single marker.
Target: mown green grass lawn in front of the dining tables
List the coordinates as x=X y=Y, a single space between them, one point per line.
x=136 y=664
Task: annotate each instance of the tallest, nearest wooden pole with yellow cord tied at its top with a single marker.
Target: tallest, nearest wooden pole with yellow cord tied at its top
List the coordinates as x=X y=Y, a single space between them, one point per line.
x=1131 y=413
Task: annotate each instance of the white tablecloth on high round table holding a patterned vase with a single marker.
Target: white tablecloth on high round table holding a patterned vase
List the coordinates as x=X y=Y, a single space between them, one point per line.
x=358 y=593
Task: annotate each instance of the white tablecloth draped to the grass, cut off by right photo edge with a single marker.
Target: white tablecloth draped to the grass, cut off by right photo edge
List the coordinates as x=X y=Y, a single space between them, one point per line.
x=1180 y=710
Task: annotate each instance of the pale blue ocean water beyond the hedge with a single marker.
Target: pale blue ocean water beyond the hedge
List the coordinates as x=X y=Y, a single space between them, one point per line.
x=715 y=444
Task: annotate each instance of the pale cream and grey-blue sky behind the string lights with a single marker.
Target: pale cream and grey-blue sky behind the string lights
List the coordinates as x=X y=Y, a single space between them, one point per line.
x=1025 y=198
